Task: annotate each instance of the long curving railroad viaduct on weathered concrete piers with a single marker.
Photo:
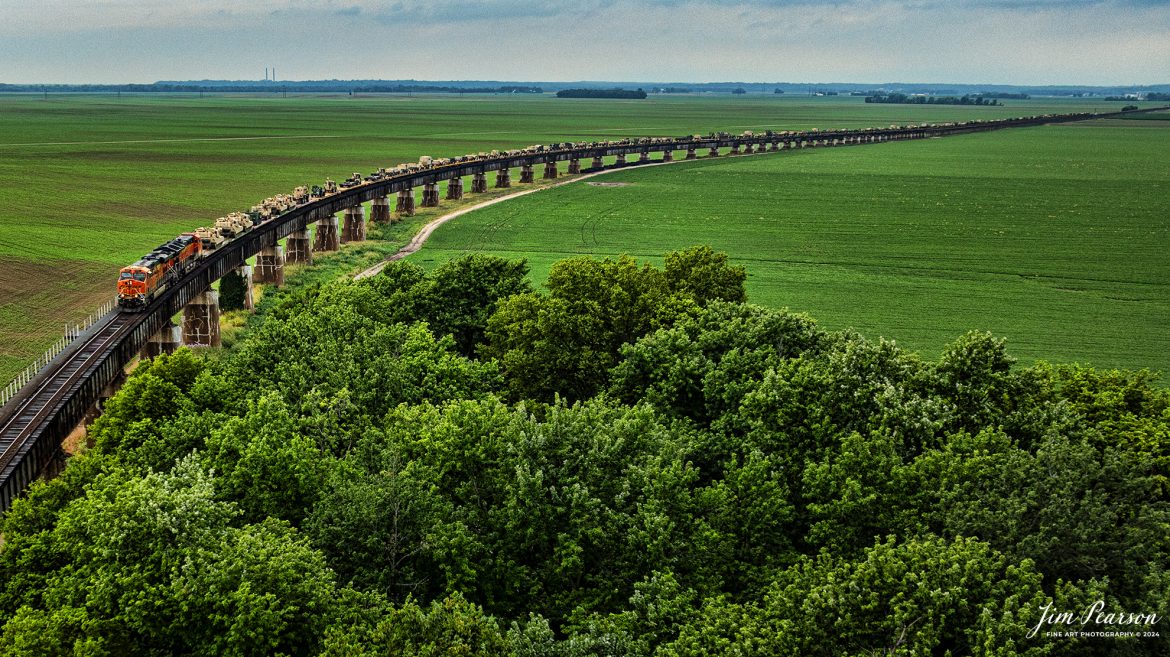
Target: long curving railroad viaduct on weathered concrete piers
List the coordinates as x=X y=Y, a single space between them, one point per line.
x=36 y=421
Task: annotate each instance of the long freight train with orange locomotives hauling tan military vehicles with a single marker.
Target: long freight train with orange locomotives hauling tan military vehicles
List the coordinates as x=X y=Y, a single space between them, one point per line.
x=141 y=282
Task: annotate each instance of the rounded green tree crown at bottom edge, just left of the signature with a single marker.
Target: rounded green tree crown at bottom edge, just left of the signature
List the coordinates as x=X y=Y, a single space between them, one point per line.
x=924 y=597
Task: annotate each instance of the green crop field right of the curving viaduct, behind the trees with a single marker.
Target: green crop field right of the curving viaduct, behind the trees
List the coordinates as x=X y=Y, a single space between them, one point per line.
x=1055 y=238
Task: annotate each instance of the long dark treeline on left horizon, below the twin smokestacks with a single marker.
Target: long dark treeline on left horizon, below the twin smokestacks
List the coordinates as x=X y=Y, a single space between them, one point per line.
x=252 y=88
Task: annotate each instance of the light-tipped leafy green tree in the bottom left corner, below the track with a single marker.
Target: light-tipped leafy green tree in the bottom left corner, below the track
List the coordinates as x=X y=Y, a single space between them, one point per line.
x=155 y=568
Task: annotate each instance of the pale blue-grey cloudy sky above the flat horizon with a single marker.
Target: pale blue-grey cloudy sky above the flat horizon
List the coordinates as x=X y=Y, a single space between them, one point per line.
x=1029 y=43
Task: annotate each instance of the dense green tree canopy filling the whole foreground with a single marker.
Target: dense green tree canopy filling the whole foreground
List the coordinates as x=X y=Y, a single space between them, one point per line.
x=631 y=461
